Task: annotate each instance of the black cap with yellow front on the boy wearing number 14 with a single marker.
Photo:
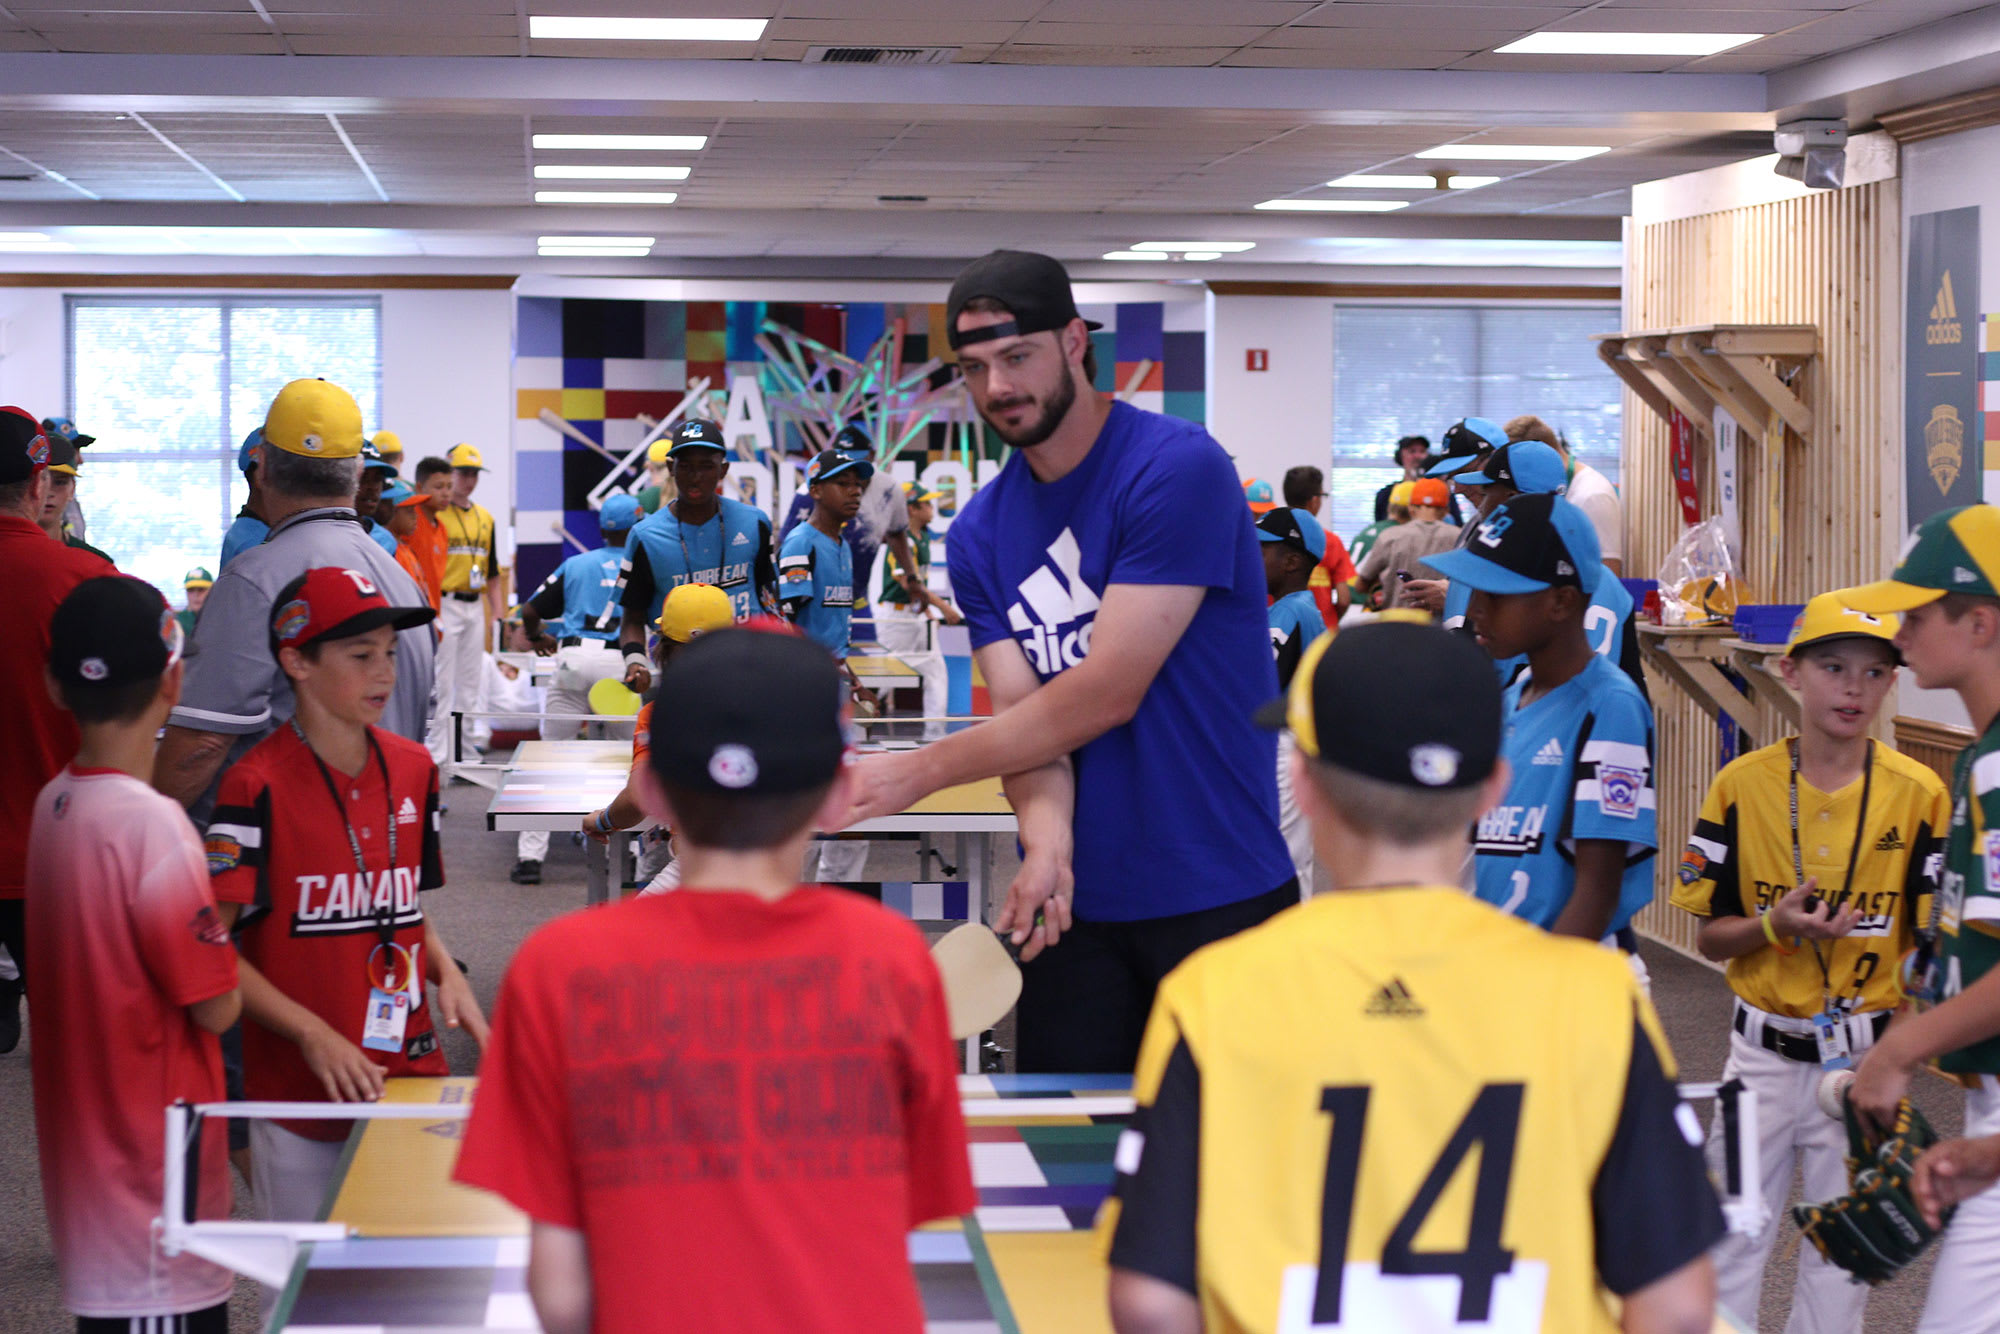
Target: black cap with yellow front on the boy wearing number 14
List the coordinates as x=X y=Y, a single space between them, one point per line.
x=1451 y=743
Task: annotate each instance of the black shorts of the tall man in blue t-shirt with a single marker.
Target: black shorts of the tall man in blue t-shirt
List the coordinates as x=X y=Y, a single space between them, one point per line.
x=1085 y=1003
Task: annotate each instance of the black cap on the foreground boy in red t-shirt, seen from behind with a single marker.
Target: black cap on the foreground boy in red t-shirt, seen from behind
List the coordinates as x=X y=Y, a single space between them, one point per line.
x=767 y=719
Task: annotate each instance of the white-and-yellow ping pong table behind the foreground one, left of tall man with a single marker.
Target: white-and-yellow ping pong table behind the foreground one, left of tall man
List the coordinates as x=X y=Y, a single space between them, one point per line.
x=555 y=785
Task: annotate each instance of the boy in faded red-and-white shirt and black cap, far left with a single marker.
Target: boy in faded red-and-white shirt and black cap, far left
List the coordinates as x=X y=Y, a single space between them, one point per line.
x=133 y=981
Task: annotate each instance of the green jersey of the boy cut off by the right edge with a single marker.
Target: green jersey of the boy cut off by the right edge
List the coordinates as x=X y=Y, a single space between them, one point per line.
x=1969 y=891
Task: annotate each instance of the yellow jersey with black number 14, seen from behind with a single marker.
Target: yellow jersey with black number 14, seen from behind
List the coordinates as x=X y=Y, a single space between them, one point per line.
x=1407 y=1111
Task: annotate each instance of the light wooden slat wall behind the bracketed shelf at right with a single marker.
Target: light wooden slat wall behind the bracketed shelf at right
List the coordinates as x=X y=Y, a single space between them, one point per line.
x=1831 y=261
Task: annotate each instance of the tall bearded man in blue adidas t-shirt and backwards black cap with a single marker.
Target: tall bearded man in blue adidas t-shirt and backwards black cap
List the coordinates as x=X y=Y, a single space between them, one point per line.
x=1115 y=597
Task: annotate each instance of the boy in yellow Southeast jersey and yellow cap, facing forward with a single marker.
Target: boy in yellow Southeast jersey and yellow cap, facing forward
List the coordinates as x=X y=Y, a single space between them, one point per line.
x=1825 y=841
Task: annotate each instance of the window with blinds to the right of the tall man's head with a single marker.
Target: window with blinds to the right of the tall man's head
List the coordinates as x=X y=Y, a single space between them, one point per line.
x=1413 y=371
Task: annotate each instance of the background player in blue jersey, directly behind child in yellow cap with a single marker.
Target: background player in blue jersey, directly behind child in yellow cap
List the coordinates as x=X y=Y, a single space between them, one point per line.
x=701 y=539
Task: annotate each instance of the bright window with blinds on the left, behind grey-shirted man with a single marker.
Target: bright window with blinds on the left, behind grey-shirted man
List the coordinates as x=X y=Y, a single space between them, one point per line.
x=171 y=389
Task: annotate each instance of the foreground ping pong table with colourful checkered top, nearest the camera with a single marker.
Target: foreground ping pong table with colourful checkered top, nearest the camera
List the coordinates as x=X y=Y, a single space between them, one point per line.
x=431 y=1257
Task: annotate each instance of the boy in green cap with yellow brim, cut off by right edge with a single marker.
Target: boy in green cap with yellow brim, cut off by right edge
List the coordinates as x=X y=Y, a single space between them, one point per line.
x=1949 y=593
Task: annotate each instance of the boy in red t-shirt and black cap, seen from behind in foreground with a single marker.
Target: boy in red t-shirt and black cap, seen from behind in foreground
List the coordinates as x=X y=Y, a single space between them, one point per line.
x=725 y=1109
